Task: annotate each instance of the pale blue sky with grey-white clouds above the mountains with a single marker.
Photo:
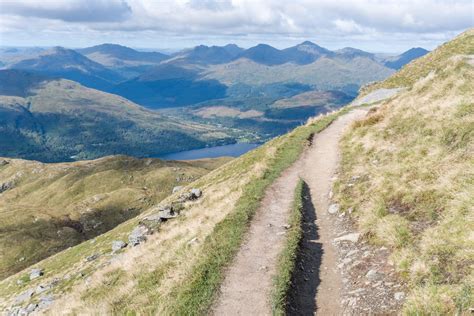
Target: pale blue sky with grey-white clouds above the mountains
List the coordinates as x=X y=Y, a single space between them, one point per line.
x=372 y=25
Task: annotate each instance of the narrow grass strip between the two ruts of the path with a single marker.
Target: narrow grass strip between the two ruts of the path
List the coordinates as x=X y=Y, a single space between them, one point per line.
x=286 y=260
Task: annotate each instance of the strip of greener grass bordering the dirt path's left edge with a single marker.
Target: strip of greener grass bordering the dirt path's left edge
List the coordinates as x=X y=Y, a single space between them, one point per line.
x=196 y=294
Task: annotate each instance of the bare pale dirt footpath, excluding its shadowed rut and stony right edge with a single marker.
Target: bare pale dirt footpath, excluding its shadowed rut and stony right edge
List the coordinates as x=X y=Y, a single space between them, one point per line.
x=247 y=285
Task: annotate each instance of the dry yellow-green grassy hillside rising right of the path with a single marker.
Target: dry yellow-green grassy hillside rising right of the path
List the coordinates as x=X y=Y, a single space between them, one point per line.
x=408 y=170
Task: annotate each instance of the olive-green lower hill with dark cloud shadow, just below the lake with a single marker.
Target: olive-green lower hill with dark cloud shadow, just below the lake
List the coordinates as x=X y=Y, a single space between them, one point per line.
x=45 y=208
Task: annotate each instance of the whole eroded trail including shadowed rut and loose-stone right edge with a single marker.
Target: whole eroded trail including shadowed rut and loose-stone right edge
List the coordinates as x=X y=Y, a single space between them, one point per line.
x=336 y=273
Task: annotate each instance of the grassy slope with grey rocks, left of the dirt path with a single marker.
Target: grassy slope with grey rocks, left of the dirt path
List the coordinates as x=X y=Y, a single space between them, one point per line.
x=179 y=268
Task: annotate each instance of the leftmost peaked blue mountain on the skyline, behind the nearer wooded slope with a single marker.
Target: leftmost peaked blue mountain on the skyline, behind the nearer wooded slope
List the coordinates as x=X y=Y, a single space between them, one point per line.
x=68 y=64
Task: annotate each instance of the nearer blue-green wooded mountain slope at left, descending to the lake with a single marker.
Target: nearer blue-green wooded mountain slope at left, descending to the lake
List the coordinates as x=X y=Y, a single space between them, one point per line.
x=60 y=120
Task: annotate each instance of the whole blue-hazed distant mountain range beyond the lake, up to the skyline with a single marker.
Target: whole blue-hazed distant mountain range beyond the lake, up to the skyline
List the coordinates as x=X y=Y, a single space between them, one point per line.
x=241 y=90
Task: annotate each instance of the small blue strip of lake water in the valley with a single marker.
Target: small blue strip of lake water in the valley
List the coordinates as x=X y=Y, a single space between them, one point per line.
x=233 y=150
